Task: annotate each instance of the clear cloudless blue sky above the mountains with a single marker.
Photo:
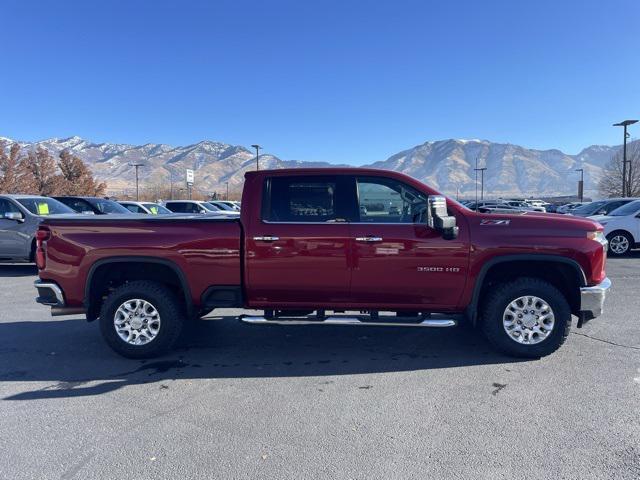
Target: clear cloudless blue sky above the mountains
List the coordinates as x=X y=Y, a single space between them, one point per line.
x=342 y=81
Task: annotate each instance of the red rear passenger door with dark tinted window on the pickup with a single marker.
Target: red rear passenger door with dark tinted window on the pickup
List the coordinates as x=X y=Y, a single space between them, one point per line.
x=296 y=247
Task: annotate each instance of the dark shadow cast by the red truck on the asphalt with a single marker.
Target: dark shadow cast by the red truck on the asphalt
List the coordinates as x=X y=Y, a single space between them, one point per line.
x=72 y=356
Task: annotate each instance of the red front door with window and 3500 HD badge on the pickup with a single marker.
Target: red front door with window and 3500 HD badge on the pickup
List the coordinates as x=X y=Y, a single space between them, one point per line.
x=399 y=263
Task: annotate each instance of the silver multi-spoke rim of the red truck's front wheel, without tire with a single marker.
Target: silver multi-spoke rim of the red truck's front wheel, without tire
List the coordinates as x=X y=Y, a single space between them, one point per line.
x=528 y=320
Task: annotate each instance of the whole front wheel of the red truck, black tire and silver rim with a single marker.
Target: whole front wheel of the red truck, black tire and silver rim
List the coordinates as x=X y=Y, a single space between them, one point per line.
x=526 y=318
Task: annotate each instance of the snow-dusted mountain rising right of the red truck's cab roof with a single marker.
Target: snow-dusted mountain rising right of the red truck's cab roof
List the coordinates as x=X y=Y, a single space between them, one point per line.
x=512 y=170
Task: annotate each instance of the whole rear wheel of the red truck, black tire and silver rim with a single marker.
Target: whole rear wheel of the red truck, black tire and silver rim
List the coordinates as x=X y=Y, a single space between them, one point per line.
x=141 y=319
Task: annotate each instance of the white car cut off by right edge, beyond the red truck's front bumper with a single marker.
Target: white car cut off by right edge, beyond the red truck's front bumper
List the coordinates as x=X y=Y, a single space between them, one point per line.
x=622 y=228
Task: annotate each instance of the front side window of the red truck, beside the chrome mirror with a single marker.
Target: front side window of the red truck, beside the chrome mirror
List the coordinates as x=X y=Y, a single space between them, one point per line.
x=383 y=200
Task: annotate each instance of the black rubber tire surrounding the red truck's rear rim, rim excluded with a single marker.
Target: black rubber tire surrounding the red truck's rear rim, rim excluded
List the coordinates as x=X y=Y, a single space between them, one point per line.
x=169 y=308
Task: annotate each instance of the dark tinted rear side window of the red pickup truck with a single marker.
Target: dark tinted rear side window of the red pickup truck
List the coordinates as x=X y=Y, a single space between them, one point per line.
x=300 y=199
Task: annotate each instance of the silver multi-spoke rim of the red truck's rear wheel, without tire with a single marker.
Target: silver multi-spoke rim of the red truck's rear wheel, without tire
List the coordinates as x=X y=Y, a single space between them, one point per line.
x=137 y=321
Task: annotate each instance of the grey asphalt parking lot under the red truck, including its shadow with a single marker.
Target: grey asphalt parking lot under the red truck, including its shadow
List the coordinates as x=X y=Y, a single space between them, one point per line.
x=243 y=401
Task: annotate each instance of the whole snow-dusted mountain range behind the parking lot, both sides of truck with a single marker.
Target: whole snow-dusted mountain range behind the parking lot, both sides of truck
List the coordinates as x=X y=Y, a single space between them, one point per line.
x=447 y=165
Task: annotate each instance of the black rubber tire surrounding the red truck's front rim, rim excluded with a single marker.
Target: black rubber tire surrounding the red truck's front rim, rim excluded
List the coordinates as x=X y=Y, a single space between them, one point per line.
x=501 y=296
